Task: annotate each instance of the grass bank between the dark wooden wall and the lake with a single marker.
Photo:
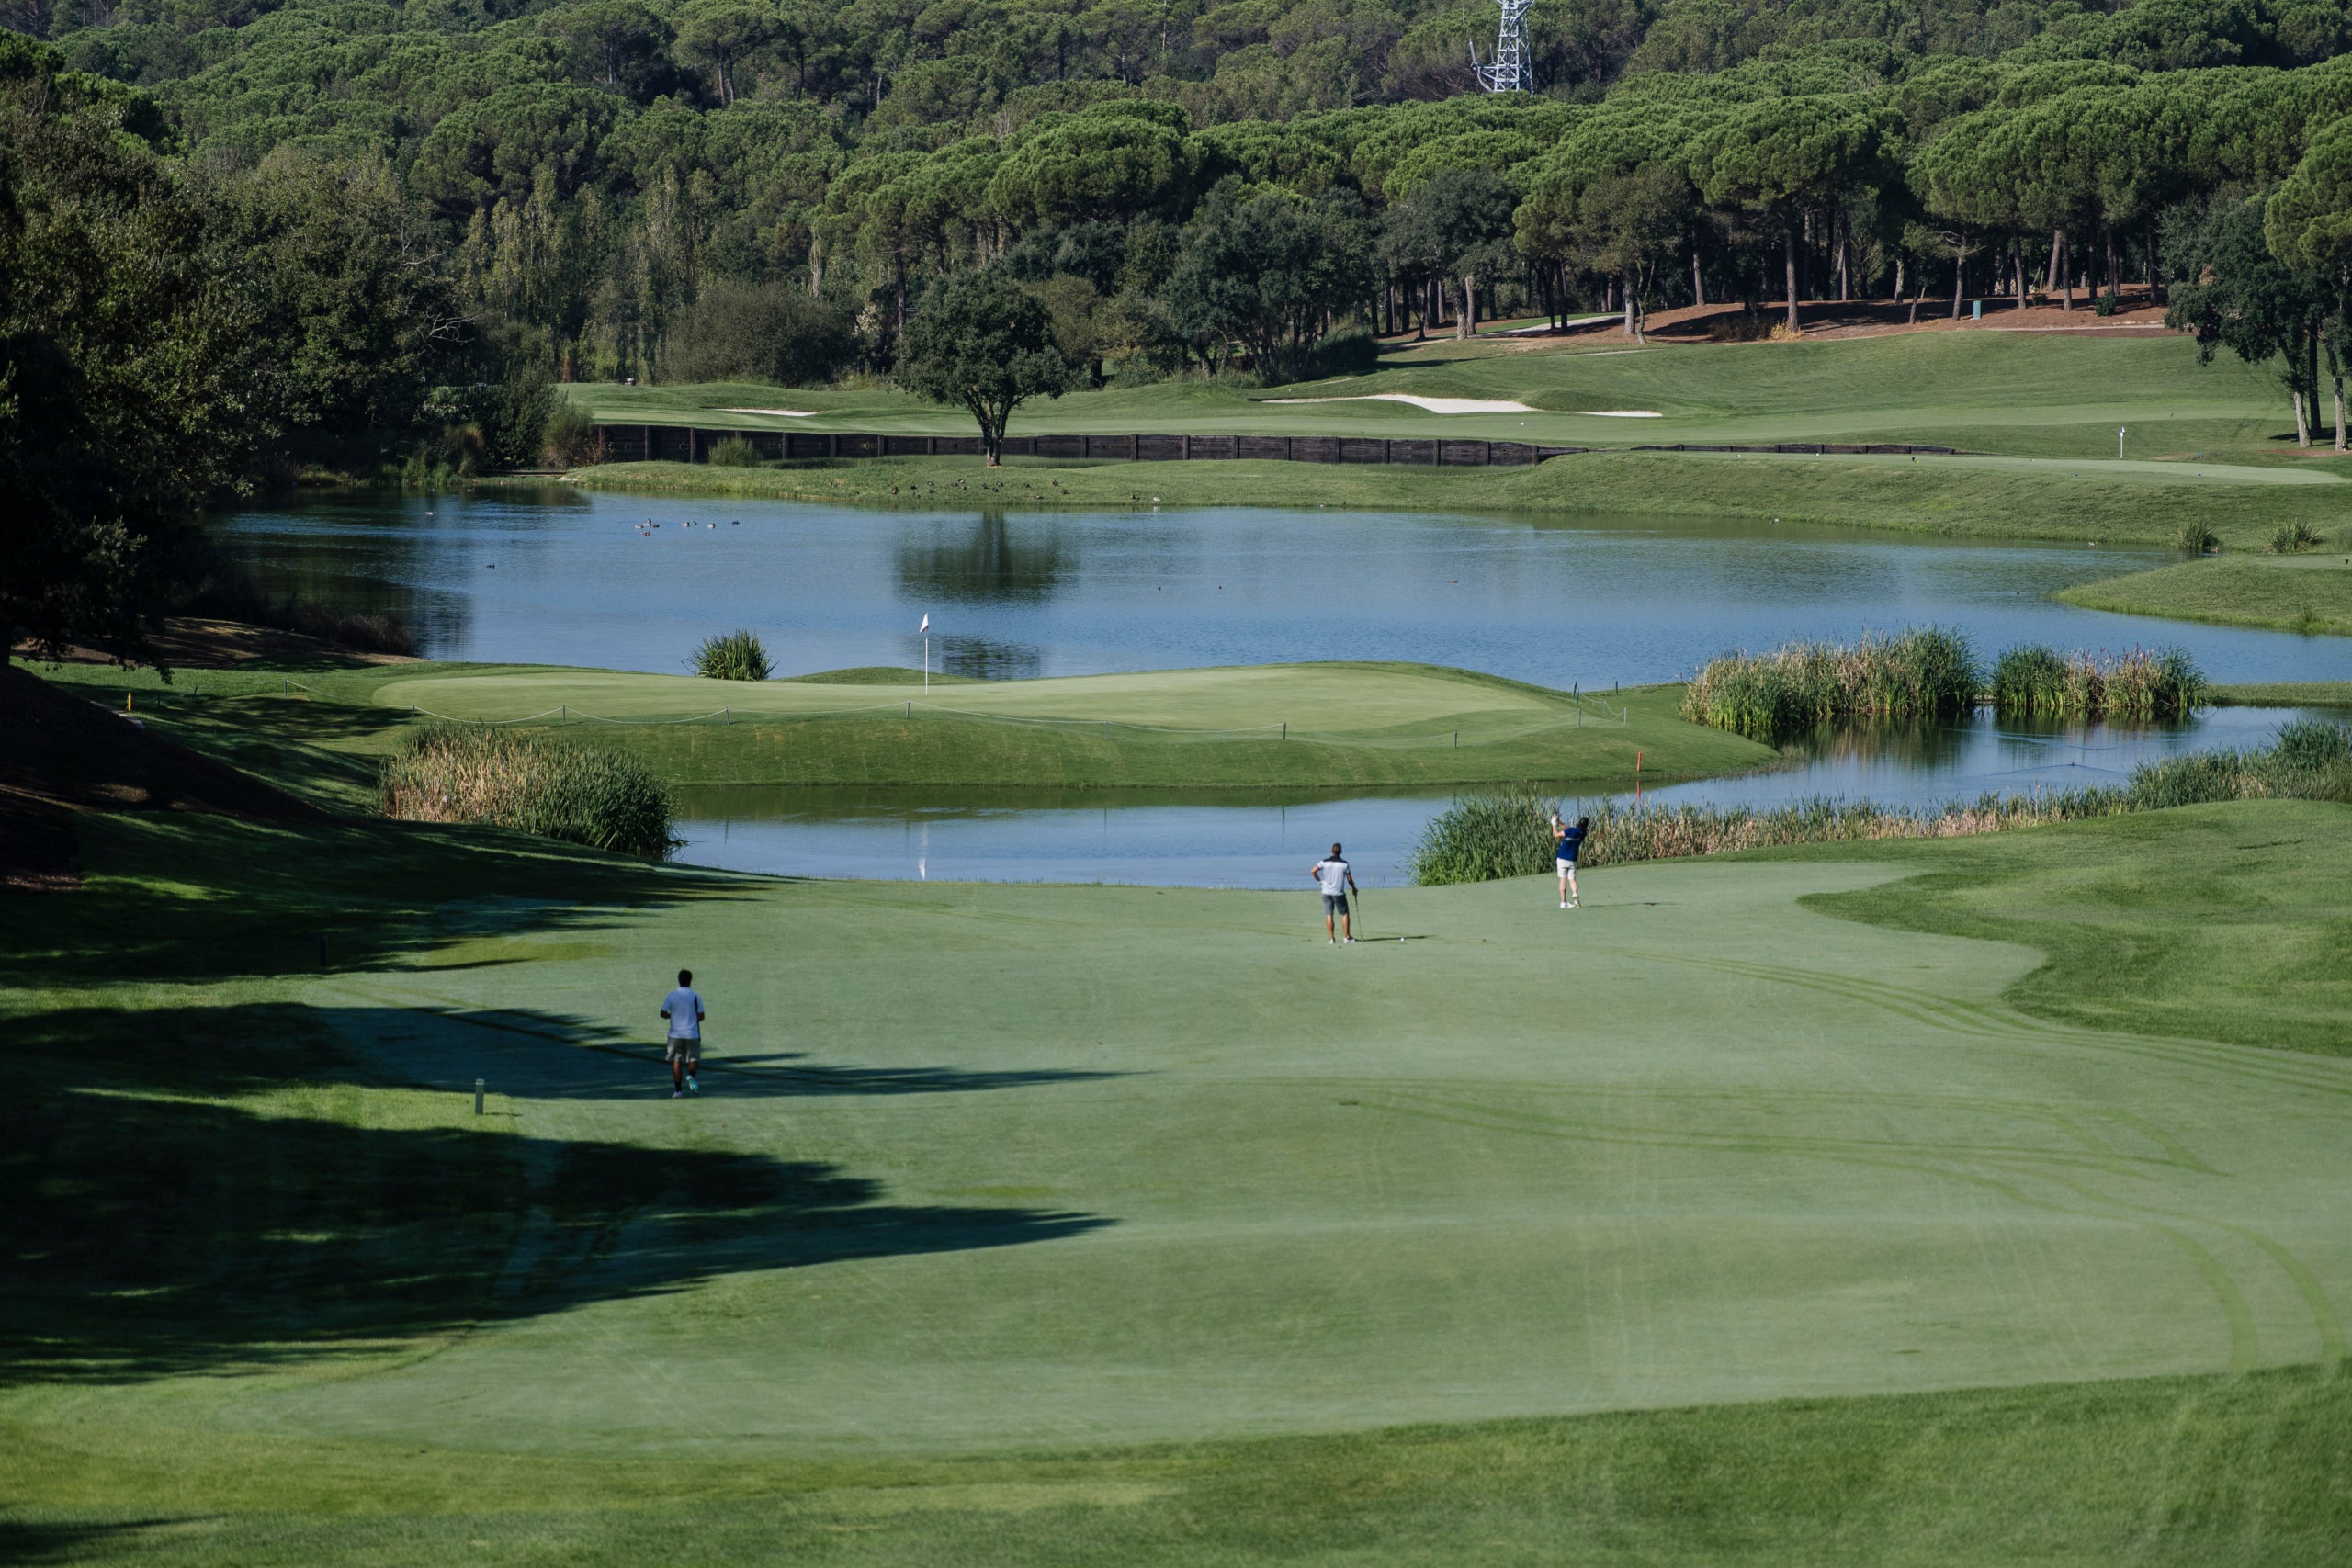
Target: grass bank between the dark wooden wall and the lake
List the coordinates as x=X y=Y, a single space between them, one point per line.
x=2144 y=504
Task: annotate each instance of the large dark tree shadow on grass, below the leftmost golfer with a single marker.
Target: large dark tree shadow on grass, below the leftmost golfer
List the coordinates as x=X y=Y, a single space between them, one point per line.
x=156 y=1224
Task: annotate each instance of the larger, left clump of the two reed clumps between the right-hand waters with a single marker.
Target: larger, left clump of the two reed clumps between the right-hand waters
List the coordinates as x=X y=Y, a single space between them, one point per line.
x=1925 y=674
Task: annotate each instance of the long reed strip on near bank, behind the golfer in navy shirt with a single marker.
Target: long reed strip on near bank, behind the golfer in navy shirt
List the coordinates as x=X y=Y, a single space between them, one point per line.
x=1485 y=838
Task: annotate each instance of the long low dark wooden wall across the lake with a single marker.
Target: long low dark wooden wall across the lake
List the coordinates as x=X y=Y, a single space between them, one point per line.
x=693 y=445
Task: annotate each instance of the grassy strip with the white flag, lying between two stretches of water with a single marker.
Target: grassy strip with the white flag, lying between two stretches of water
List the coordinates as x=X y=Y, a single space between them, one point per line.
x=1347 y=725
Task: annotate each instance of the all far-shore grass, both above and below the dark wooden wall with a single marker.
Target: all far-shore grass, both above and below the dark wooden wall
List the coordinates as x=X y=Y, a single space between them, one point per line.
x=2036 y=415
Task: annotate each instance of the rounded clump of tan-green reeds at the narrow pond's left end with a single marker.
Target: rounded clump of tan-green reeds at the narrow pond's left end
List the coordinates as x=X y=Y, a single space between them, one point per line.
x=530 y=784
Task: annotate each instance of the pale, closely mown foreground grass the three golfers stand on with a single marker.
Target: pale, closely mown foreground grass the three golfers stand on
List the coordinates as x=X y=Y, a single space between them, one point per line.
x=1161 y=1165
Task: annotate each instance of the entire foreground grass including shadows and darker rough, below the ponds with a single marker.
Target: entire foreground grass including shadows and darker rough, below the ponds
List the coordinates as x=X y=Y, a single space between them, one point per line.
x=1742 y=1214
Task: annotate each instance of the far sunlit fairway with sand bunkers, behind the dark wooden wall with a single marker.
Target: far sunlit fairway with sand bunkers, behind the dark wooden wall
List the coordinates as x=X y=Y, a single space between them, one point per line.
x=2014 y=394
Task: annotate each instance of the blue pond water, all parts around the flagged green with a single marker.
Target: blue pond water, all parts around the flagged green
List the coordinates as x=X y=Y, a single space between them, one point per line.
x=566 y=577
